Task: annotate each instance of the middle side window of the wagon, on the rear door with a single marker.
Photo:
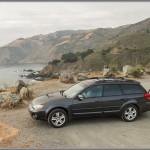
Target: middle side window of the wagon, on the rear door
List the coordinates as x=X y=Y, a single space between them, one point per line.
x=112 y=90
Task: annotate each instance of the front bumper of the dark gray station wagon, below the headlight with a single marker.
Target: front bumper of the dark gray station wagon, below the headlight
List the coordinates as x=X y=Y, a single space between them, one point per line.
x=37 y=114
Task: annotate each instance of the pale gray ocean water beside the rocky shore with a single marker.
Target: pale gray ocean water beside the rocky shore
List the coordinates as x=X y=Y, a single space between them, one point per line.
x=10 y=73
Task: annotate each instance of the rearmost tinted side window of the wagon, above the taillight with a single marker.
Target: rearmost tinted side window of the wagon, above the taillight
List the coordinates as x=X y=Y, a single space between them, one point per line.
x=132 y=89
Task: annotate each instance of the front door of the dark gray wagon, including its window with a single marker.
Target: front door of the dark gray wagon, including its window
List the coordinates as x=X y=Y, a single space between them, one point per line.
x=91 y=104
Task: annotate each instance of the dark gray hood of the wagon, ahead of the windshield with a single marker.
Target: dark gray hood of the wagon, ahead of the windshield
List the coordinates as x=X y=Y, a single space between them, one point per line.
x=48 y=97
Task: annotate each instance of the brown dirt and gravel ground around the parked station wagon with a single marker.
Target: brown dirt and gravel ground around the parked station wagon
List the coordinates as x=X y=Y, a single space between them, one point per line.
x=19 y=130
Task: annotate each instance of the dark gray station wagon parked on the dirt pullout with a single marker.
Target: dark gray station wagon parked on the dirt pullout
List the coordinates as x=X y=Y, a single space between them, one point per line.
x=93 y=97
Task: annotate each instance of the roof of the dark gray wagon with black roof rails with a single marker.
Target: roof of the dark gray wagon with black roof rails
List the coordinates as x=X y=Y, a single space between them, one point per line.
x=98 y=81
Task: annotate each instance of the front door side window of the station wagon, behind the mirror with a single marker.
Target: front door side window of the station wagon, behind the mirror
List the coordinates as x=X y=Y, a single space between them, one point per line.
x=93 y=91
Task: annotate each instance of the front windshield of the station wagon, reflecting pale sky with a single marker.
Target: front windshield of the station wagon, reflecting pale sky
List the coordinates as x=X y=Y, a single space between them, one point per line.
x=72 y=91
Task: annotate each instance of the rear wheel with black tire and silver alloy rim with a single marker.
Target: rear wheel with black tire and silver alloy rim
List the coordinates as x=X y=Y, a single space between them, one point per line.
x=129 y=113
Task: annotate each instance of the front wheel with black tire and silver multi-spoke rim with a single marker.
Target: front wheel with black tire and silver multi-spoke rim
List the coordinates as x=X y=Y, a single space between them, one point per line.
x=58 y=118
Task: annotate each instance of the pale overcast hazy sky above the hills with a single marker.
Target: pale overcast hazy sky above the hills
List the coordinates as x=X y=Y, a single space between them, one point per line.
x=25 y=19
